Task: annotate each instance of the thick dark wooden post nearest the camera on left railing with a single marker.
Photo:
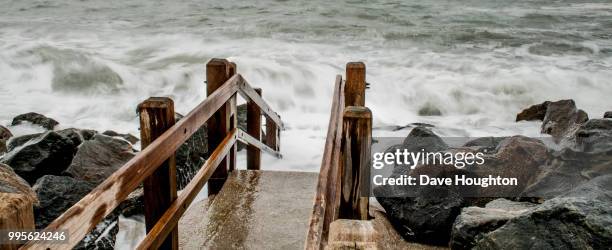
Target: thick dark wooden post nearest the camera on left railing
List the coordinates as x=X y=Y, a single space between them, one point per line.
x=157 y=116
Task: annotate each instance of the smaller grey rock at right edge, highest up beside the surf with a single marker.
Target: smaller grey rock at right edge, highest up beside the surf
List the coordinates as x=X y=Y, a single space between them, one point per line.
x=594 y=136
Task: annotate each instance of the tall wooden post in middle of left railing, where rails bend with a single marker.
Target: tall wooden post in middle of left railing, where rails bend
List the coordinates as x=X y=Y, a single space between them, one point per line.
x=217 y=73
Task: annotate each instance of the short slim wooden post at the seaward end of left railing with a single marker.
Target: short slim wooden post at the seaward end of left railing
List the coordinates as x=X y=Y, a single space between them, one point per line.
x=254 y=129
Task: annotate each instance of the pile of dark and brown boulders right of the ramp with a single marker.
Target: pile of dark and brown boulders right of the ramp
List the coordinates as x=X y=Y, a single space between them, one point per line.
x=564 y=202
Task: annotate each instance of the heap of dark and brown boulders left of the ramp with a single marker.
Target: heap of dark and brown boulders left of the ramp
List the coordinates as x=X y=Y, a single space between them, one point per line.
x=56 y=168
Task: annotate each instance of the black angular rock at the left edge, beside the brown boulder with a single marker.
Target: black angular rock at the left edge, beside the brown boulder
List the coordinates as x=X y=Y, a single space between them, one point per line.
x=50 y=153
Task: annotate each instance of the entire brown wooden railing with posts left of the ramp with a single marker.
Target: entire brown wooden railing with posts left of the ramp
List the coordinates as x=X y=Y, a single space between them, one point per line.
x=155 y=166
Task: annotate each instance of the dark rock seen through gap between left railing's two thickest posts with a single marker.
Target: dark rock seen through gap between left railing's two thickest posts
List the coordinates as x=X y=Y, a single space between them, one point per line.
x=191 y=155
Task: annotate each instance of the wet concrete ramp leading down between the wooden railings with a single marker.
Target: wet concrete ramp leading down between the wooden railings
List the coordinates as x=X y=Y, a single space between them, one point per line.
x=254 y=210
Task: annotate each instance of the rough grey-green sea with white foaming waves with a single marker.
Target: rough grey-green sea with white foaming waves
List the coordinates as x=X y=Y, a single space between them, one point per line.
x=88 y=63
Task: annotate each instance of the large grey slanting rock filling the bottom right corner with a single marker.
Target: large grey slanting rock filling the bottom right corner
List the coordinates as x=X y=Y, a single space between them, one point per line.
x=577 y=220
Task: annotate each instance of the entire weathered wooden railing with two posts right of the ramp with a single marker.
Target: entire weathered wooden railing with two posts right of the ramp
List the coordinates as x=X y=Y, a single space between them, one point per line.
x=342 y=188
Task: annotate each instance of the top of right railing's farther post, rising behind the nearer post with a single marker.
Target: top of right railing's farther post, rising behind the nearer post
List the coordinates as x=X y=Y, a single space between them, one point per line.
x=354 y=90
